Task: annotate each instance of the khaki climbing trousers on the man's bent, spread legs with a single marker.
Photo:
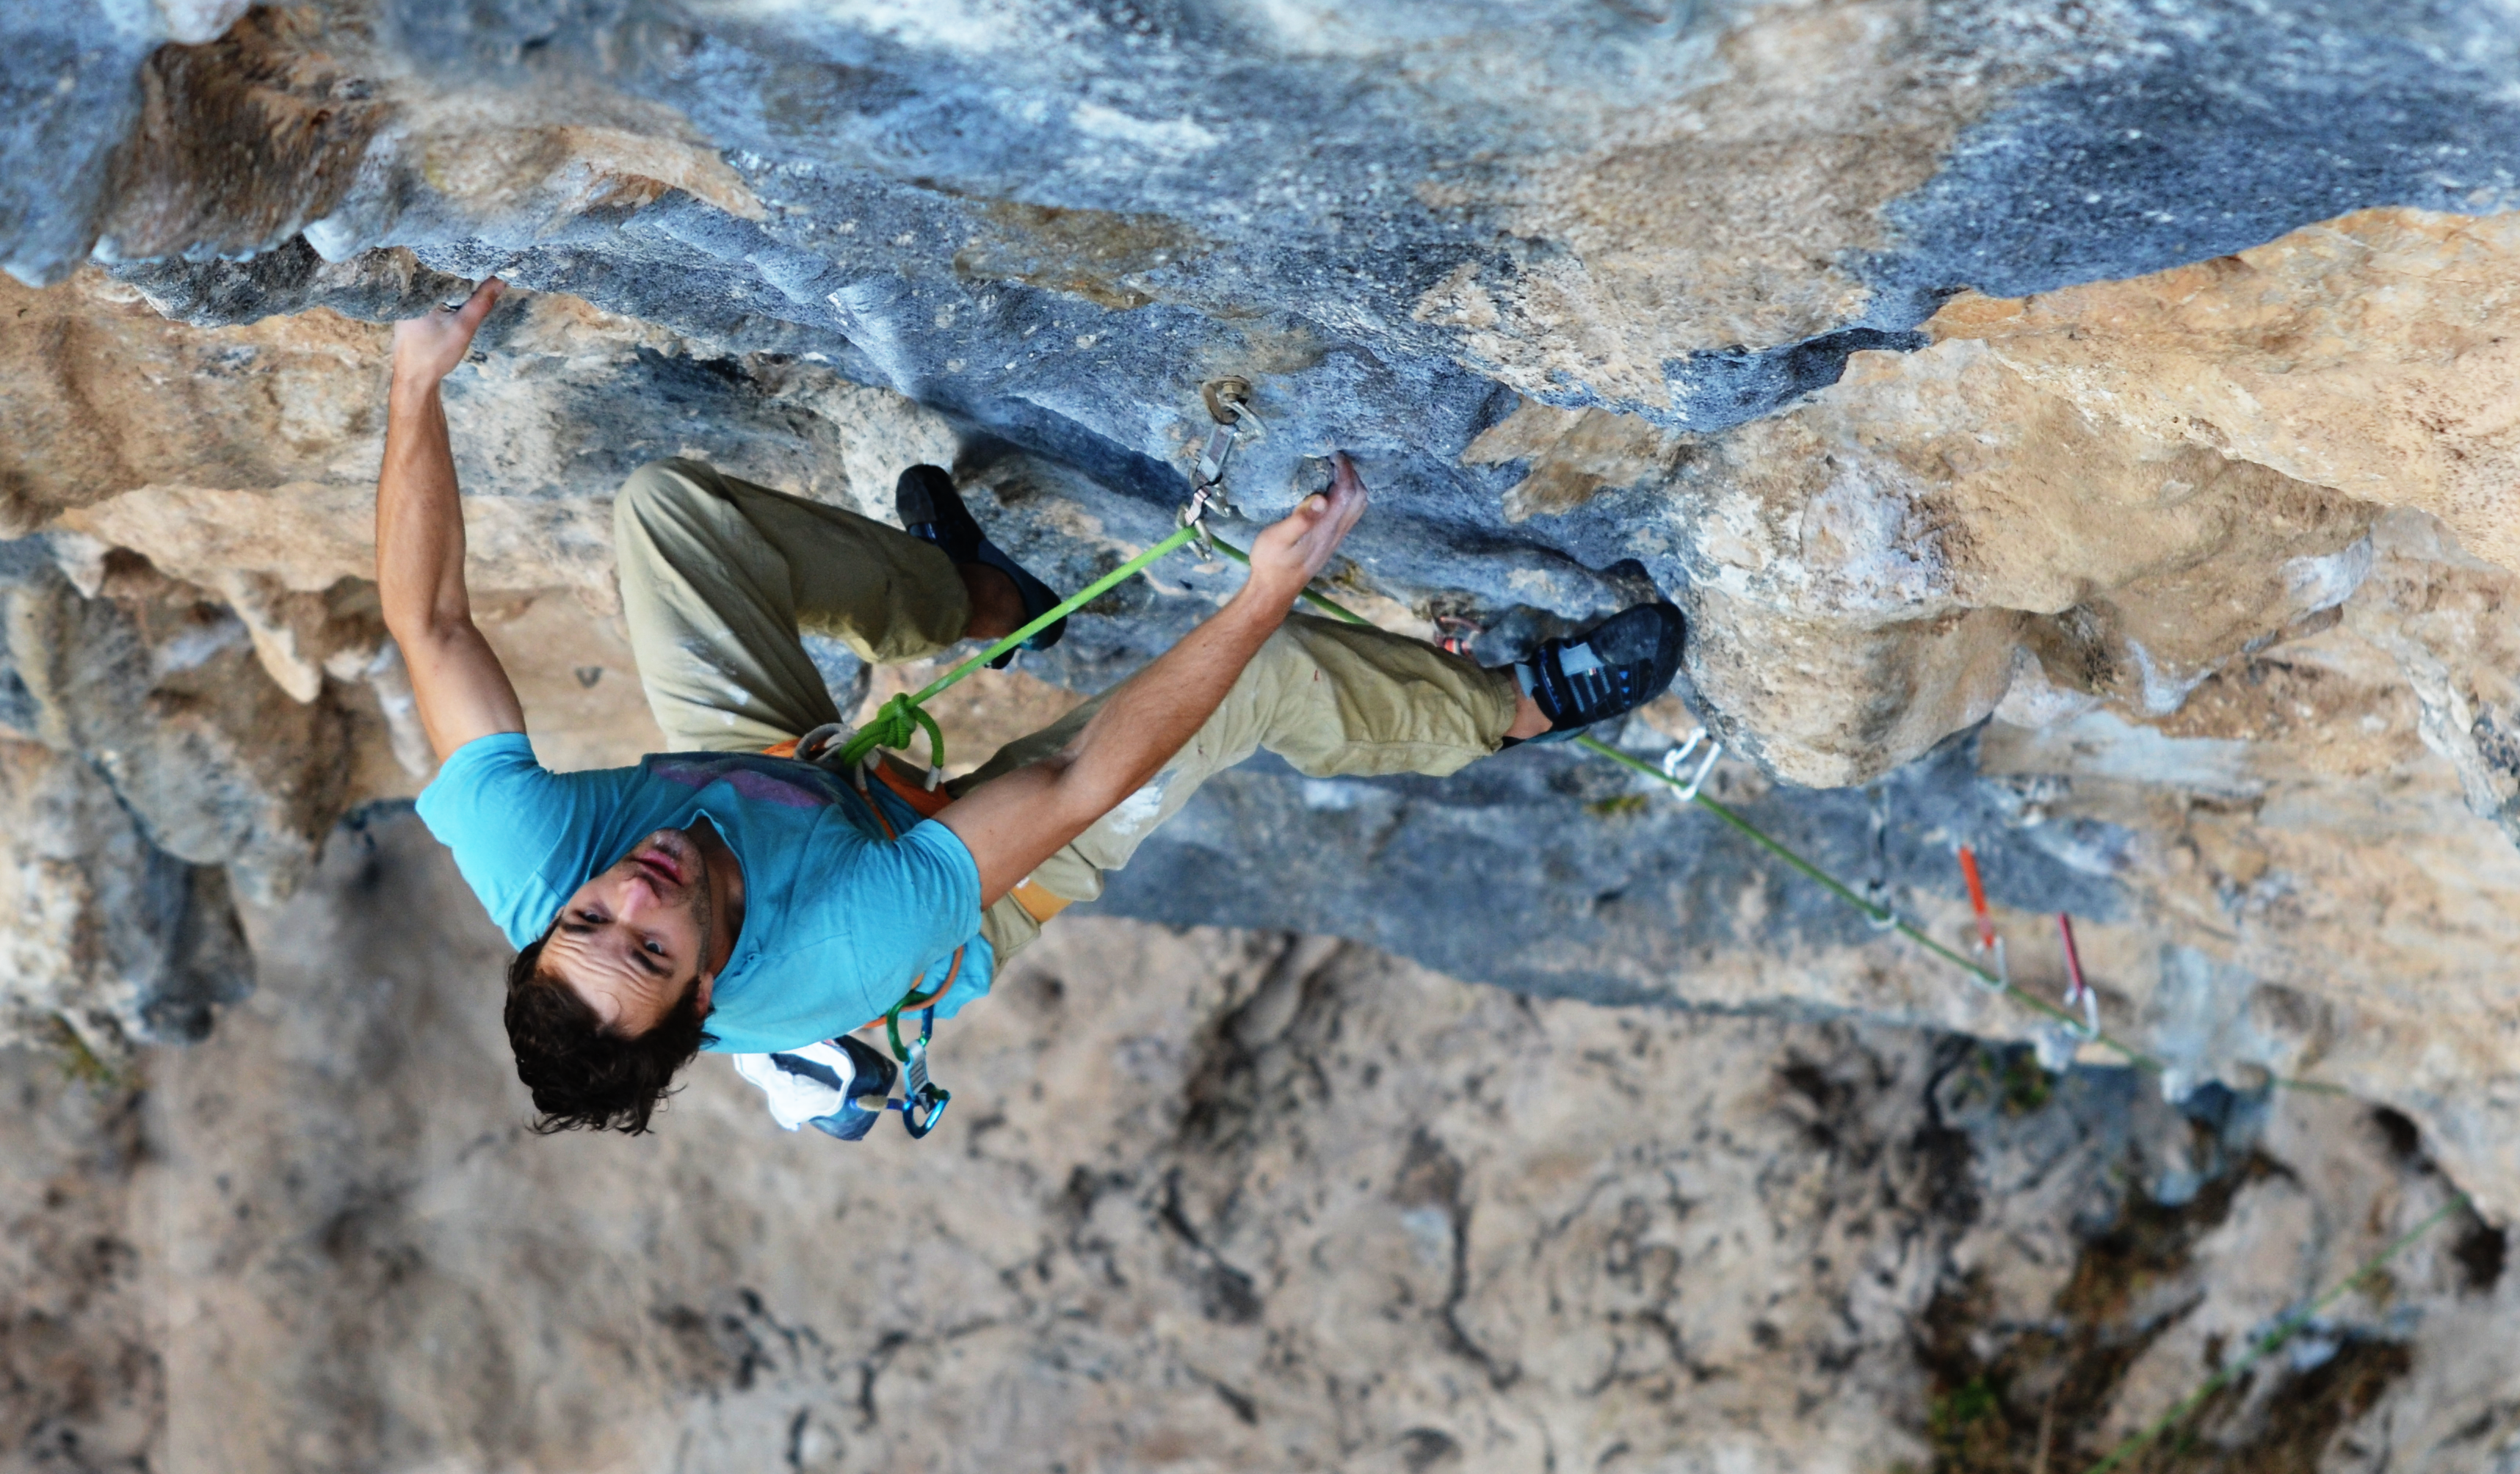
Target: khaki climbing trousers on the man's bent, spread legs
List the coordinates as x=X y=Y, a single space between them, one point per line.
x=722 y=576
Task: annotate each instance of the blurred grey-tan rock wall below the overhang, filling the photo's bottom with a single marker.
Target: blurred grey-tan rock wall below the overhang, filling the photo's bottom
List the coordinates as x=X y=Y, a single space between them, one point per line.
x=1203 y=1198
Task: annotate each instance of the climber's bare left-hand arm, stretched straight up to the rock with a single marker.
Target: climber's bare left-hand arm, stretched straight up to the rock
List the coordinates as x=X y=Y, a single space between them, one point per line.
x=420 y=540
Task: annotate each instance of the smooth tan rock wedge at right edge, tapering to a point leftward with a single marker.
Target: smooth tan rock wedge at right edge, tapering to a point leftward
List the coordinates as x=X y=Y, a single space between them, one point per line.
x=2375 y=354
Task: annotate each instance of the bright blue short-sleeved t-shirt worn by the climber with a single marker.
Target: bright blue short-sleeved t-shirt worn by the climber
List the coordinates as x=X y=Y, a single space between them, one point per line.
x=838 y=921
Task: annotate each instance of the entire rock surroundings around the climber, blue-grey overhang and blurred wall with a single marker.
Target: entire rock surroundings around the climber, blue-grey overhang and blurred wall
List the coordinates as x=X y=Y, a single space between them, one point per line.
x=2075 y=430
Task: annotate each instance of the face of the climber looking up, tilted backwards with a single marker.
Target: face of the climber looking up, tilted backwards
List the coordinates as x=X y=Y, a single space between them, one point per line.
x=634 y=939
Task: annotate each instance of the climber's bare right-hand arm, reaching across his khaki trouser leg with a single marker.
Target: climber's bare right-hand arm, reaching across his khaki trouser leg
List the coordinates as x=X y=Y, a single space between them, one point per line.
x=1019 y=820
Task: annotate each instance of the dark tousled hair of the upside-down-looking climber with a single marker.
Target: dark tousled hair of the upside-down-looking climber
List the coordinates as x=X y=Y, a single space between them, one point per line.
x=583 y=1077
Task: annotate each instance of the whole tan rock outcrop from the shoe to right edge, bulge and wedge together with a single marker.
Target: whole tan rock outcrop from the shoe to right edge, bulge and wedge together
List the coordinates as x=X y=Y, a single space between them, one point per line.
x=2156 y=472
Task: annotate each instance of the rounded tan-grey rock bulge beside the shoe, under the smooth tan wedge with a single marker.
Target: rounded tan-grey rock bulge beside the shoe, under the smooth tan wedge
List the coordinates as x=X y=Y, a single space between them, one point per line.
x=1871 y=561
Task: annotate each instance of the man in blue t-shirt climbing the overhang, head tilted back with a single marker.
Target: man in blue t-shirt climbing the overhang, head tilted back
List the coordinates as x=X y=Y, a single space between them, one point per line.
x=737 y=898
